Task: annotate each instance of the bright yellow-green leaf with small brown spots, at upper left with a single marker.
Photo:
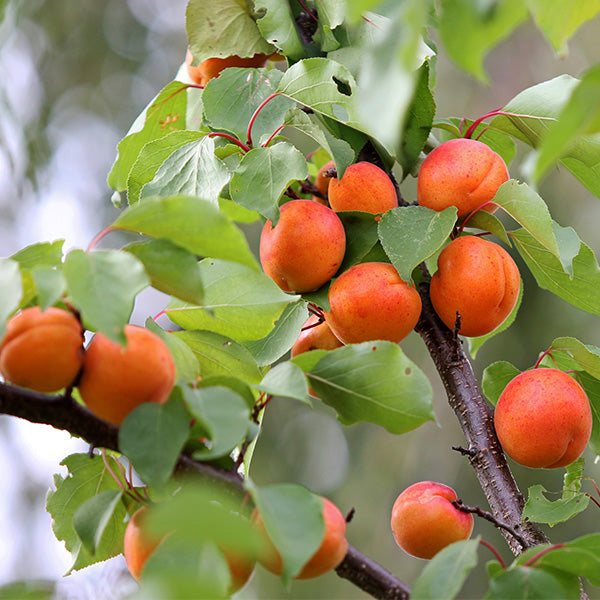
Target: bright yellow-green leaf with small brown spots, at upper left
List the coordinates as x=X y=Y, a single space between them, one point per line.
x=162 y=116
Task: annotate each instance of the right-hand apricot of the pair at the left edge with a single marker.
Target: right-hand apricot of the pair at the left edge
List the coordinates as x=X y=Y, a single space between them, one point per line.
x=116 y=379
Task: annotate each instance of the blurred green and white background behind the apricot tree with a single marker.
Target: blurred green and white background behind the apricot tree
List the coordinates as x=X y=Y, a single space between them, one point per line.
x=73 y=77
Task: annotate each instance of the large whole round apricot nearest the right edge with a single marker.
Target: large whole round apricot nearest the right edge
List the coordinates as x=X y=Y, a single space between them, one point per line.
x=543 y=419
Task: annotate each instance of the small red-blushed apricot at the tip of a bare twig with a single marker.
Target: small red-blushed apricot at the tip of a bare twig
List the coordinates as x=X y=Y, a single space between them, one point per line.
x=424 y=520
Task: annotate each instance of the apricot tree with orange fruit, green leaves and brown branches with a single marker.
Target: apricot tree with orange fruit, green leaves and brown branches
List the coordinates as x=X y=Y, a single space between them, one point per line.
x=340 y=90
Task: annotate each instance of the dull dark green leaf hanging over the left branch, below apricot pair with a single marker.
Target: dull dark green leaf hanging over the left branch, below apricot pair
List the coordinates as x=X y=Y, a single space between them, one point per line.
x=152 y=436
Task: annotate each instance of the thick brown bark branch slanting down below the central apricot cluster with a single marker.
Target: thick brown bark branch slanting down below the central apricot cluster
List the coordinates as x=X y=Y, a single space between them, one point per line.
x=477 y=422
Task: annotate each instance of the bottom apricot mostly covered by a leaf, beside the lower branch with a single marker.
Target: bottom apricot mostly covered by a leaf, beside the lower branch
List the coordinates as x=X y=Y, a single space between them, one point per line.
x=328 y=556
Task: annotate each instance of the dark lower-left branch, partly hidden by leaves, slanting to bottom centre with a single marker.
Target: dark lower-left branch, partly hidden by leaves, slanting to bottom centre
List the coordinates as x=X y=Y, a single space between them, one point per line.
x=62 y=412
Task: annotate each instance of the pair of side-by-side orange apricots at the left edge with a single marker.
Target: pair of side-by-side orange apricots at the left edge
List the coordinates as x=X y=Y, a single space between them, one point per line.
x=44 y=351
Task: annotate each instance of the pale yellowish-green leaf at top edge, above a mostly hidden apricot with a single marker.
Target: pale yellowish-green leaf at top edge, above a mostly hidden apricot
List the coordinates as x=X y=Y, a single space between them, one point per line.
x=222 y=29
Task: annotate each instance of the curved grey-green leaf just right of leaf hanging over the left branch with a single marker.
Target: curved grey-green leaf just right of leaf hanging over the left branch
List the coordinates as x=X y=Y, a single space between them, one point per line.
x=224 y=414
